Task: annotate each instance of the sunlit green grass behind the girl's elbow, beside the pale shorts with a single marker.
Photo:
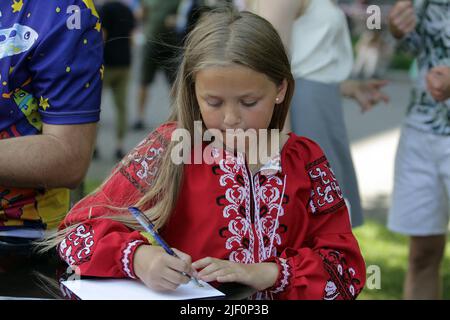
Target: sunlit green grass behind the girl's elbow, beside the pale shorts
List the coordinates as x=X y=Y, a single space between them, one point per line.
x=389 y=251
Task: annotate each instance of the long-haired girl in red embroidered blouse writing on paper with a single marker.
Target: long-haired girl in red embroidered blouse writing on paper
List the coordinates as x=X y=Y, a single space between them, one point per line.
x=285 y=232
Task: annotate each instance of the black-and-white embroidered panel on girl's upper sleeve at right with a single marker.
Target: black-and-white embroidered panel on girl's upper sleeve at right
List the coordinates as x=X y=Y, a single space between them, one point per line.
x=326 y=195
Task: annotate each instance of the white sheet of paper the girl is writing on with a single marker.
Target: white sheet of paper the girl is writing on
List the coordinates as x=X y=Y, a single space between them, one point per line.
x=128 y=289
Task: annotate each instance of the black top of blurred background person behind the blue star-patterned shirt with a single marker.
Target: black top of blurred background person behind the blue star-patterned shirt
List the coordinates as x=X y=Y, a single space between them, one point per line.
x=118 y=22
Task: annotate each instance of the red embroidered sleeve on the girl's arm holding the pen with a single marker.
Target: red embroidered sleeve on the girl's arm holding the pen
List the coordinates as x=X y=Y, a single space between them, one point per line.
x=104 y=247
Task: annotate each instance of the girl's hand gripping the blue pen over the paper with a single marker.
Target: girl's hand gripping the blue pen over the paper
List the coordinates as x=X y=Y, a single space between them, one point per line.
x=159 y=270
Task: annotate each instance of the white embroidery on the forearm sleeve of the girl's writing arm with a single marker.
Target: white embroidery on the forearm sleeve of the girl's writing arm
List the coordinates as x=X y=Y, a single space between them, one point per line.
x=76 y=247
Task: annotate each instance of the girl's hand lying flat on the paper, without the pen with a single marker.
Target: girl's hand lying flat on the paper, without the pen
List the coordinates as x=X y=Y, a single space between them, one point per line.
x=258 y=275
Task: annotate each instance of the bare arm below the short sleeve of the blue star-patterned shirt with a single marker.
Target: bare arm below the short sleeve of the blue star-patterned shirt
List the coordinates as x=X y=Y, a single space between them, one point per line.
x=58 y=158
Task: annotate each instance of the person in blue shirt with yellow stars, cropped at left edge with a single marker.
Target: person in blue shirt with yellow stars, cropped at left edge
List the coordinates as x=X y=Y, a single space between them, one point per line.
x=50 y=89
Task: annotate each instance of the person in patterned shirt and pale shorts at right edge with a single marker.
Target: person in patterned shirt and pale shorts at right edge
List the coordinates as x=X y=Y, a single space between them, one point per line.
x=420 y=207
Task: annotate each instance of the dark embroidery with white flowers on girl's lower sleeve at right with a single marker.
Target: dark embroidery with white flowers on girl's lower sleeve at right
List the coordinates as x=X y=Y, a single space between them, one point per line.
x=343 y=282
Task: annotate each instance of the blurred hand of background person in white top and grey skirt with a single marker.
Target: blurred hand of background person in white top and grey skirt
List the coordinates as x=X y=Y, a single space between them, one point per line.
x=366 y=93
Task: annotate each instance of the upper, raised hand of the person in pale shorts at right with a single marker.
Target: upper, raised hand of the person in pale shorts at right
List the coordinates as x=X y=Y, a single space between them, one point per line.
x=402 y=19
